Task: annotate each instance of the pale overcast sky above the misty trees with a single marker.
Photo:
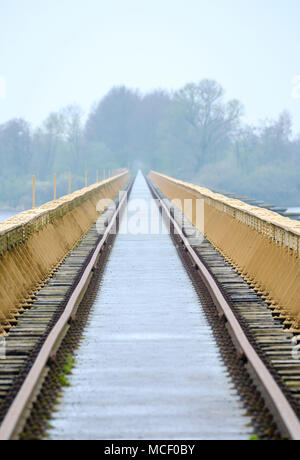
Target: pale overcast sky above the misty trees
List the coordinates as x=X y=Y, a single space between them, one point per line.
x=57 y=52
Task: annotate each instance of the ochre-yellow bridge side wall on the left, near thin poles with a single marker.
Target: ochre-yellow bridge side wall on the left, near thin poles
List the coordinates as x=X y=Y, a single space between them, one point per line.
x=34 y=243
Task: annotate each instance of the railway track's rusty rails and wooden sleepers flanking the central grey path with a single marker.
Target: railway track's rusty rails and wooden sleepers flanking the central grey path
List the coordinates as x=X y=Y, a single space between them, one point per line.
x=258 y=349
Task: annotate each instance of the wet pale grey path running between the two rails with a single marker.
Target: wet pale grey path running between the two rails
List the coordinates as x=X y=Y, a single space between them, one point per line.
x=148 y=367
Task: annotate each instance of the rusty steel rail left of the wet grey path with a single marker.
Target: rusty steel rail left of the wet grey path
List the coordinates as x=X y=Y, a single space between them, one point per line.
x=23 y=398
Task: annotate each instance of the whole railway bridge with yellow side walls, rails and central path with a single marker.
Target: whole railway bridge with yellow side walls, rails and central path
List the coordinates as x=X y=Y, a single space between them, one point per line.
x=145 y=308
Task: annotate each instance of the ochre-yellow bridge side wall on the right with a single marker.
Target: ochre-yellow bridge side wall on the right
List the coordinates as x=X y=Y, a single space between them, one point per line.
x=262 y=245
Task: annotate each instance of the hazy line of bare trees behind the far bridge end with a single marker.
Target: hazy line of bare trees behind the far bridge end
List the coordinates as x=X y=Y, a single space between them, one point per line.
x=194 y=134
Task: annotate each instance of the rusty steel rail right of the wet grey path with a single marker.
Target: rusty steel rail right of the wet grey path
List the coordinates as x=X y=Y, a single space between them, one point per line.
x=274 y=397
